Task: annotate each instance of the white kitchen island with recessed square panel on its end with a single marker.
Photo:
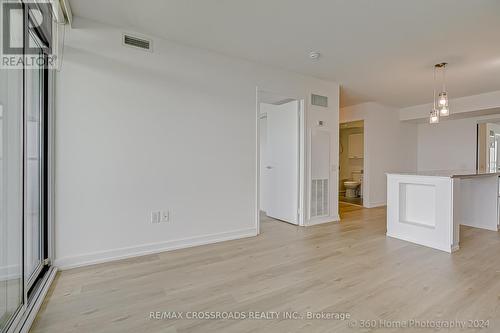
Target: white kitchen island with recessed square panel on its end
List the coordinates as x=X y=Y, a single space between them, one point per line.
x=427 y=208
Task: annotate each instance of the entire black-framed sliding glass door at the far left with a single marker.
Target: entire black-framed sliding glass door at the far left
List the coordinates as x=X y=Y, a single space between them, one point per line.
x=24 y=129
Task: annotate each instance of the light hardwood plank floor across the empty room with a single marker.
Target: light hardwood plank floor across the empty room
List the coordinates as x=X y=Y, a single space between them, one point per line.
x=348 y=267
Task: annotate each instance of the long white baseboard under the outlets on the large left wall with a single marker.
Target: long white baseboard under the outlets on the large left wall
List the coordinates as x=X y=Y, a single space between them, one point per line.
x=136 y=251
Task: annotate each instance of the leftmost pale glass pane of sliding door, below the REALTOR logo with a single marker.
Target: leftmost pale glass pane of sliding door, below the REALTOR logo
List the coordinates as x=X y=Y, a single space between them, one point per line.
x=11 y=195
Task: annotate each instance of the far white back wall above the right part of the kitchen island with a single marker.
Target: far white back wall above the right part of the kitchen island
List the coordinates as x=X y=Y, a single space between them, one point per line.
x=449 y=145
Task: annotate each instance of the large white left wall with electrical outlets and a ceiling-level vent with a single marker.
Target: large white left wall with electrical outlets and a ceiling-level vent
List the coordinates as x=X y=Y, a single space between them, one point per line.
x=174 y=129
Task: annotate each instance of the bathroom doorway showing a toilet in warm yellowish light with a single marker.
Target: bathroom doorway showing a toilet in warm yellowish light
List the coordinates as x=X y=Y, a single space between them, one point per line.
x=351 y=162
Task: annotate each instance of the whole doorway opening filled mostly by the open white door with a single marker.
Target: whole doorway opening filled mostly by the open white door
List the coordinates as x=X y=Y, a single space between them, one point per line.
x=280 y=155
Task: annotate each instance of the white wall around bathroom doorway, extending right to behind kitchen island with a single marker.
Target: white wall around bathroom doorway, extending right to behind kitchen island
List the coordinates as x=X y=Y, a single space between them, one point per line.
x=390 y=145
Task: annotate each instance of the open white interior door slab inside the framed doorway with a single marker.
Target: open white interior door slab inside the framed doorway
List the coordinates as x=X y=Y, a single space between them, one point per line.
x=282 y=171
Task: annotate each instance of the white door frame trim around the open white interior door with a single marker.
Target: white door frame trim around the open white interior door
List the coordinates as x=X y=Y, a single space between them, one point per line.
x=301 y=160
